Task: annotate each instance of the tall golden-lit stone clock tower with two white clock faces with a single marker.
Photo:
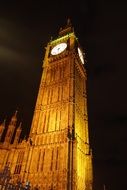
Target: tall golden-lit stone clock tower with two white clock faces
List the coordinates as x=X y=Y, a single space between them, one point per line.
x=59 y=156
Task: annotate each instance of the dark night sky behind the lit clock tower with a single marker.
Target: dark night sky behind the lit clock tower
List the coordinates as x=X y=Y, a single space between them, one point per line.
x=101 y=27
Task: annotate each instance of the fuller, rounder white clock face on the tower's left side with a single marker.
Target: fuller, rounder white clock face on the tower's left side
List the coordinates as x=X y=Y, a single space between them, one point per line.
x=59 y=48
